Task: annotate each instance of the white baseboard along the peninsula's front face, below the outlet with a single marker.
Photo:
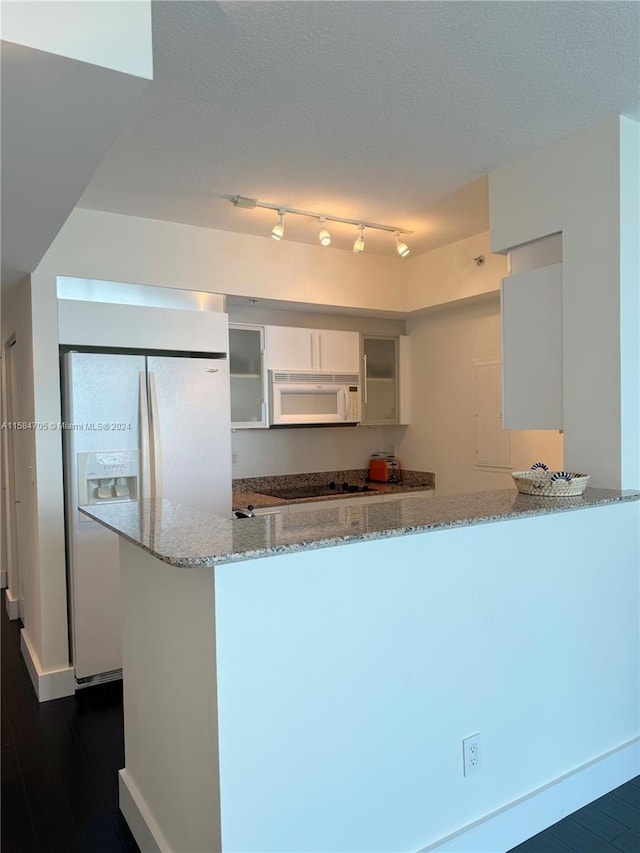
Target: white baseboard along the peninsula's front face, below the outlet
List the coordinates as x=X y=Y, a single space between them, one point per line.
x=511 y=825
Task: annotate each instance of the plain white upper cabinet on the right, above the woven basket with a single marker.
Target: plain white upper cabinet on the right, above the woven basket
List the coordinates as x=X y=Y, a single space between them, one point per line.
x=532 y=349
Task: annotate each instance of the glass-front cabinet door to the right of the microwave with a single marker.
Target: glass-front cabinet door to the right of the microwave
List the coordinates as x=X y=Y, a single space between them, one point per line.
x=380 y=399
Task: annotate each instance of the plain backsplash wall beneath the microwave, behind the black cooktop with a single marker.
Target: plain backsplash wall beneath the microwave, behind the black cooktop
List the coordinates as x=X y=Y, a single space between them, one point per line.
x=261 y=453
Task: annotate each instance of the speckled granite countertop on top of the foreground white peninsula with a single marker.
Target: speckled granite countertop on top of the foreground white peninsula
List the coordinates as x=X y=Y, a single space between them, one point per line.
x=185 y=537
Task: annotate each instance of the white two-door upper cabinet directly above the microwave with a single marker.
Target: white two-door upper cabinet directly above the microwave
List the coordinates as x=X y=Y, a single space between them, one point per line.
x=290 y=348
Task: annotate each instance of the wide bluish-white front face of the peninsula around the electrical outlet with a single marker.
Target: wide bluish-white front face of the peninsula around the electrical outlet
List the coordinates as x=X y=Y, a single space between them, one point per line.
x=348 y=677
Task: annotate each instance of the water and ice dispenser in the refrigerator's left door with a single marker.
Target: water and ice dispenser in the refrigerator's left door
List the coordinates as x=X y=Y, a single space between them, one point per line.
x=107 y=476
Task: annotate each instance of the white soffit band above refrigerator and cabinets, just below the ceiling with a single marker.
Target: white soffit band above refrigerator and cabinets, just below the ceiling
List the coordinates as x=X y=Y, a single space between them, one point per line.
x=113 y=247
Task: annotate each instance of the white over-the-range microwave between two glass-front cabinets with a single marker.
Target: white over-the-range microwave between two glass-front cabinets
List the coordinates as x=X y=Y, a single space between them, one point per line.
x=302 y=398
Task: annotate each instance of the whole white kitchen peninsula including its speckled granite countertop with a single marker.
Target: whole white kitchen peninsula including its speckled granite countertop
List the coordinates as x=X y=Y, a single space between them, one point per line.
x=304 y=681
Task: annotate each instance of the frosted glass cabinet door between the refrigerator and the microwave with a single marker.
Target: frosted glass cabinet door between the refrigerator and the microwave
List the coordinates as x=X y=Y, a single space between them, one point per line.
x=248 y=377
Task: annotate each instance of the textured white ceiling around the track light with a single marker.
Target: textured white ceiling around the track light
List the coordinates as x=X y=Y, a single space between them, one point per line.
x=392 y=112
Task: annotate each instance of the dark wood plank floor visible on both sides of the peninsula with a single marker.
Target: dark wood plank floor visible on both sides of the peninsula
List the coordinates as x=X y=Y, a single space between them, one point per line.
x=60 y=762
